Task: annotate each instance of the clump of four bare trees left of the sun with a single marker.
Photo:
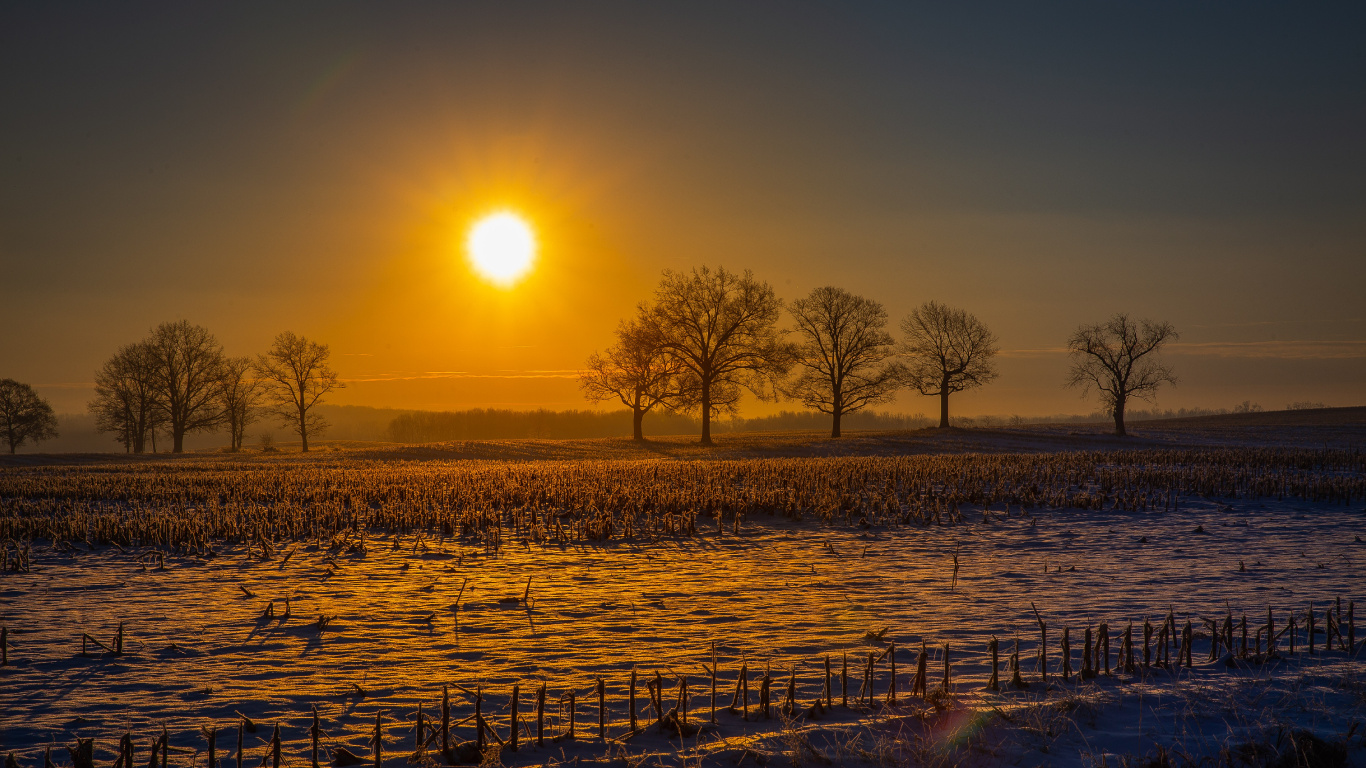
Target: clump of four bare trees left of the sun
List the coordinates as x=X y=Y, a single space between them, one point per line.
x=180 y=381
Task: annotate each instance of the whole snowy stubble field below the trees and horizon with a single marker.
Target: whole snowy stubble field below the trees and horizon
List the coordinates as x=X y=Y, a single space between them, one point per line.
x=365 y=583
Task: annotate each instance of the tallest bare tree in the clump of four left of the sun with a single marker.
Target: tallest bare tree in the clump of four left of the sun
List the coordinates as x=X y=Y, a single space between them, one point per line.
x=188 y=364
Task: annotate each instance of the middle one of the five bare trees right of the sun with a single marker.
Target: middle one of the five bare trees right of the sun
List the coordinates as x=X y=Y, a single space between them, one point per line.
x=845 y=357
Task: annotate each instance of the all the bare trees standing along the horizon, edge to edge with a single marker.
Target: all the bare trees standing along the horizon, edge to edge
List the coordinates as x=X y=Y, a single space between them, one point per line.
x=706 y=340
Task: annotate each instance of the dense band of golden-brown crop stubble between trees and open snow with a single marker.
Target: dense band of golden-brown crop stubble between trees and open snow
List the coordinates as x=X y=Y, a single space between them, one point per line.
x=191 y=505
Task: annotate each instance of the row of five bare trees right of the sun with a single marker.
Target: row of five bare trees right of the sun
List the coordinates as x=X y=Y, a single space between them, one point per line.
x=708 y=335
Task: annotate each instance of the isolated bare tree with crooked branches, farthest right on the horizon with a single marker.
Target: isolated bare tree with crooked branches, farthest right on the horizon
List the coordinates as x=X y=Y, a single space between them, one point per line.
x=1119 y=360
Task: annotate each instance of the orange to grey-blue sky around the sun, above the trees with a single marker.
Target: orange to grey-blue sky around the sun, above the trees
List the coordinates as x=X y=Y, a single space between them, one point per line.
x=316 y=167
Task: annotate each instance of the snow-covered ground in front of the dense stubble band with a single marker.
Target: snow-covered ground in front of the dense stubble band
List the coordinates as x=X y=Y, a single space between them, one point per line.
x=782 y=596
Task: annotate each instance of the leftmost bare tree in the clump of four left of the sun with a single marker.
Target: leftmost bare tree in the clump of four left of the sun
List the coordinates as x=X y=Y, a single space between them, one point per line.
x=126 y=397
